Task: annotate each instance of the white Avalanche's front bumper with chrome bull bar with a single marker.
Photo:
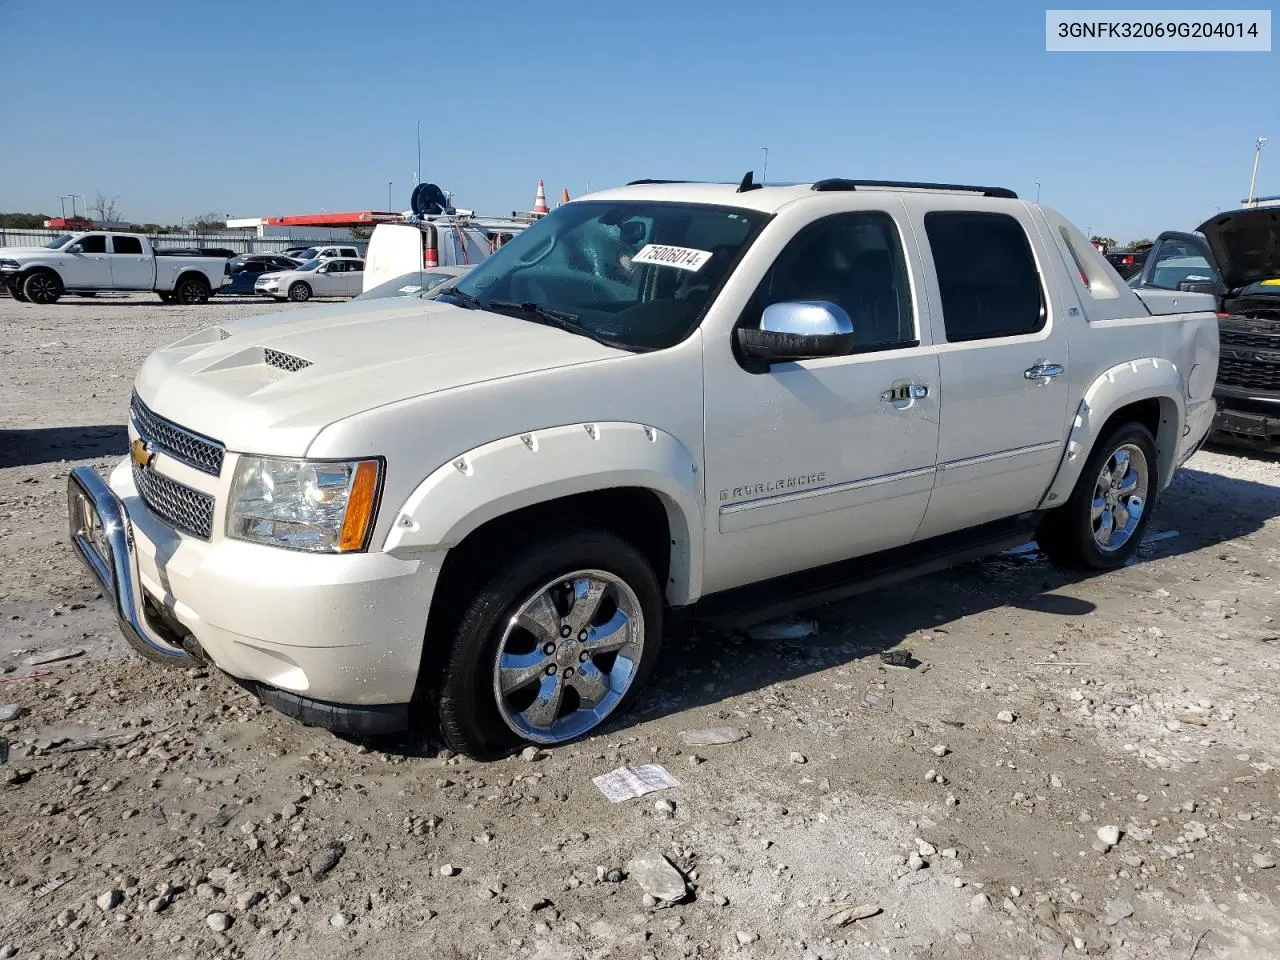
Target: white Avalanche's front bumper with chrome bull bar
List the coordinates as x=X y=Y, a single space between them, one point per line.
x=333 y=641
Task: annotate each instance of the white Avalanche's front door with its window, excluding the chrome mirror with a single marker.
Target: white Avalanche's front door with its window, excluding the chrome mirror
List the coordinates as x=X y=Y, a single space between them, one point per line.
x=822 y=460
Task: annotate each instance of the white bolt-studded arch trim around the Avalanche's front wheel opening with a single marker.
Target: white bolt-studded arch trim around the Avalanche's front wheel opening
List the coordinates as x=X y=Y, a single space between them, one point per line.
x=524 y=470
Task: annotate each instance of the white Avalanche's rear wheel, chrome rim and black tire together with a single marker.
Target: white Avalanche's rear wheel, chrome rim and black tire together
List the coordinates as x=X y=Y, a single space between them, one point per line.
x=1103 y=524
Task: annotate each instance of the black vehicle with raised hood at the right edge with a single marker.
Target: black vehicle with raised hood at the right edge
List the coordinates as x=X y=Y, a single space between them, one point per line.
x=1238 y=258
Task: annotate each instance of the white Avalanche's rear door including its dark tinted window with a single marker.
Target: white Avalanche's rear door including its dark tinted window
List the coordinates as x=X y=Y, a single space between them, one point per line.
x=1003 y=365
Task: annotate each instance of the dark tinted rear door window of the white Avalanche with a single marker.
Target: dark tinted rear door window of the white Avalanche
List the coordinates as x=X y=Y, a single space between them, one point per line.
x=988 y=276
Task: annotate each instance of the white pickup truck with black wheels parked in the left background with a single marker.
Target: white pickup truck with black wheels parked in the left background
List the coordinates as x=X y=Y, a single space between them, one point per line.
x=84 y=263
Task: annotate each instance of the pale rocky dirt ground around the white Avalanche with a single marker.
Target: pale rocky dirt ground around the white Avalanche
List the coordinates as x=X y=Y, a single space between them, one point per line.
x=163 y=813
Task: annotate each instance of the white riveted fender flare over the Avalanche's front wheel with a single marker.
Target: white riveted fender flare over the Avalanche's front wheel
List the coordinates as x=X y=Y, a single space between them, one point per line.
x=634 y=479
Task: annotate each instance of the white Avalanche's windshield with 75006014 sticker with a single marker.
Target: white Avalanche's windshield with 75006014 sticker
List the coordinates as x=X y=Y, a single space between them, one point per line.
x=639 y=275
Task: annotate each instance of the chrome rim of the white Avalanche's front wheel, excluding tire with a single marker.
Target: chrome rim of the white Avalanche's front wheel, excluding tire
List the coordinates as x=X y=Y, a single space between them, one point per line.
x=569 y=656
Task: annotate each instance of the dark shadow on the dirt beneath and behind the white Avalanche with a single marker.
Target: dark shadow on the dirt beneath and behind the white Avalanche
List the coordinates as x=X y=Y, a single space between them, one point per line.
x=1200 y=511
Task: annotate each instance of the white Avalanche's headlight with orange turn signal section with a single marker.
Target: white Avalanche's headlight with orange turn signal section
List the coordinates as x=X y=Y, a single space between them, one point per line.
x=317 y=506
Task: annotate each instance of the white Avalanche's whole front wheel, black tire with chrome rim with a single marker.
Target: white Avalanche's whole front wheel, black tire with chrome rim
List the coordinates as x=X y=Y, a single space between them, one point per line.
x=557 y=641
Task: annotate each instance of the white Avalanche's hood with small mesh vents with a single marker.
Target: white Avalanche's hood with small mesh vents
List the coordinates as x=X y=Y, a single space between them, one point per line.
x=269 y=385
